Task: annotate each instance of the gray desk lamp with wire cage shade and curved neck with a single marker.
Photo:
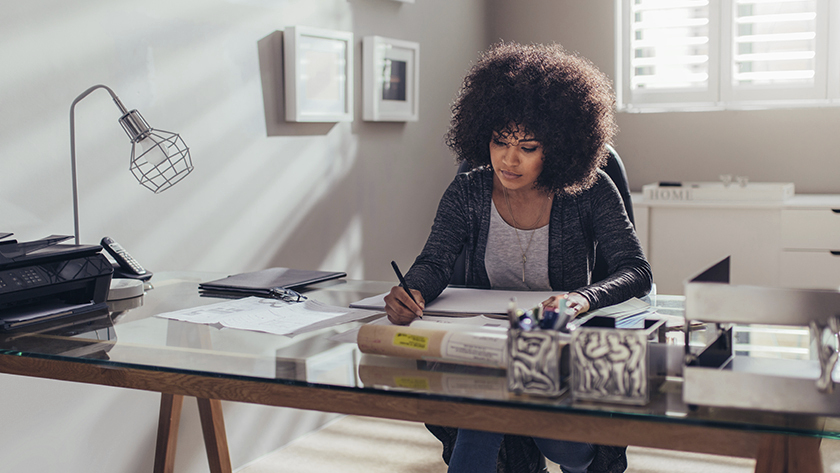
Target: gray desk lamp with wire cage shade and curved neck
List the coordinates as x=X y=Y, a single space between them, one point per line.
x=159 y=159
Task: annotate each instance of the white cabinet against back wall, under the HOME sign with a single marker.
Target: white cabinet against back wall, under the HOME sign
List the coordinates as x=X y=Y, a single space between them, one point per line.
x=791 y=243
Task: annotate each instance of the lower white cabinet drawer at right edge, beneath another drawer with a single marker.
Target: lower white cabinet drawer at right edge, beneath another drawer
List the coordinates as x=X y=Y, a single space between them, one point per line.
x=810 y=269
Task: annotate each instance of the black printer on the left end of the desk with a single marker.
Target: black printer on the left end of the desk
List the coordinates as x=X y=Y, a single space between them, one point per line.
x=45 y=280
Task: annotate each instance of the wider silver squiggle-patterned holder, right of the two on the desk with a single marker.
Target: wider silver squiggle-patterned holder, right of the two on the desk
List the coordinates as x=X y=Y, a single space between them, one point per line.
x=613 y=364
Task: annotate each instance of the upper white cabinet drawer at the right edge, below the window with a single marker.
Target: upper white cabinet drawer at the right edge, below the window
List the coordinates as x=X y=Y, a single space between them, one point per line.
x=811 y=229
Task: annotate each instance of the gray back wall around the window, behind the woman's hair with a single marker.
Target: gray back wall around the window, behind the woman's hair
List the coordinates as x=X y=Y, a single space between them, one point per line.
x=794 y=145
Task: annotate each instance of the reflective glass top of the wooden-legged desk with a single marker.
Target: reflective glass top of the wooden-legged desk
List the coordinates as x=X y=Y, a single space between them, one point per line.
x=130 y=336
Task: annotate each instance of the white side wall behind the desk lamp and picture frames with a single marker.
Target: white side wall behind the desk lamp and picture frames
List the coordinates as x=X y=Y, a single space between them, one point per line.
x=264 y=193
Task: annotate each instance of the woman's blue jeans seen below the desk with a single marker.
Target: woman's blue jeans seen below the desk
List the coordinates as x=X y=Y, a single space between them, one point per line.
x=476 y=452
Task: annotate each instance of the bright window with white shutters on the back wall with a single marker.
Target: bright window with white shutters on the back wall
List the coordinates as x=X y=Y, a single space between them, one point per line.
x=682 y=54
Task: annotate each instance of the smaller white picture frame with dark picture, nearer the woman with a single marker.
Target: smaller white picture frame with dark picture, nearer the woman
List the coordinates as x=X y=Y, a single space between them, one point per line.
x=391 y=74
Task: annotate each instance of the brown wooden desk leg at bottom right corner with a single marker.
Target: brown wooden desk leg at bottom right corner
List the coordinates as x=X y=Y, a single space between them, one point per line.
x=788 y=454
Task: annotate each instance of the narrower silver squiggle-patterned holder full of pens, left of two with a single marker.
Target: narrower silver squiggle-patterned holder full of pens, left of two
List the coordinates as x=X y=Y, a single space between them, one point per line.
x=534 y=362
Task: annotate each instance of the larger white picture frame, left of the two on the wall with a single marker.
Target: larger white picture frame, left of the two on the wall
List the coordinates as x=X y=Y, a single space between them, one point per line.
x=318 y=72
